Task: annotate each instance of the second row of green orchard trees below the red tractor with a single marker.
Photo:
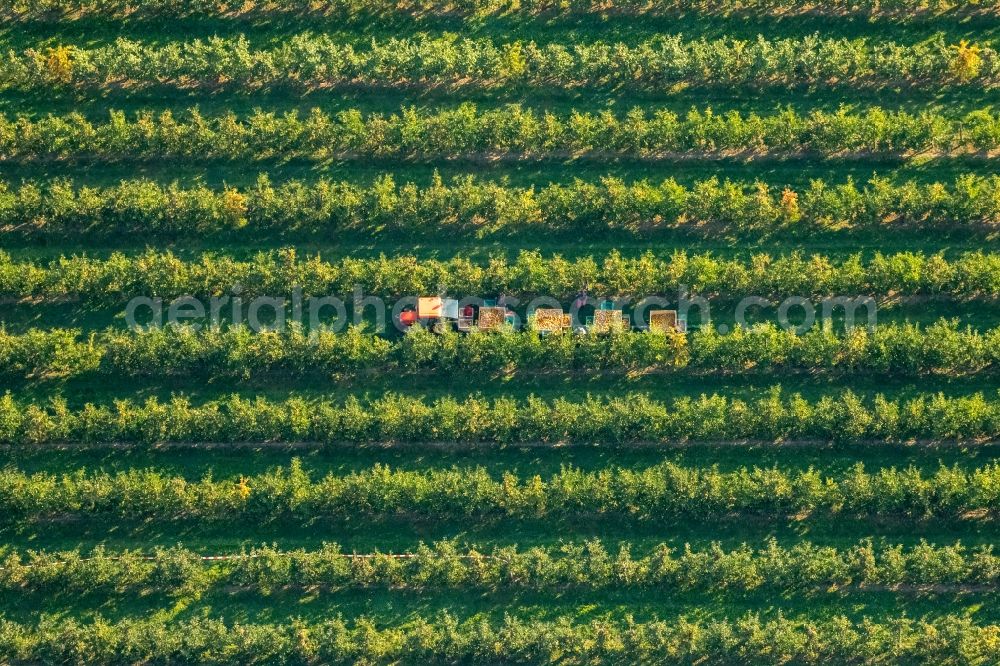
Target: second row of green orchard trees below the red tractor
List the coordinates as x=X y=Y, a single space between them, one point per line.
x=629 y=418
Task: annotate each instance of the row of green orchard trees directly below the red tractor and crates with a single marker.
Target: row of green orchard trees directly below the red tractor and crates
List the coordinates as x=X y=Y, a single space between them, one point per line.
x=236 y=352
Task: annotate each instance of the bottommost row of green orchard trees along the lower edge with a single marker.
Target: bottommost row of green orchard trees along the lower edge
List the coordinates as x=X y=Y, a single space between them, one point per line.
x=444 y=639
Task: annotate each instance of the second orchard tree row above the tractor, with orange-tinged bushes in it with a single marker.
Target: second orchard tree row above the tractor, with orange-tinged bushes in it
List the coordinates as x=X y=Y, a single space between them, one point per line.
x=467 y=205
